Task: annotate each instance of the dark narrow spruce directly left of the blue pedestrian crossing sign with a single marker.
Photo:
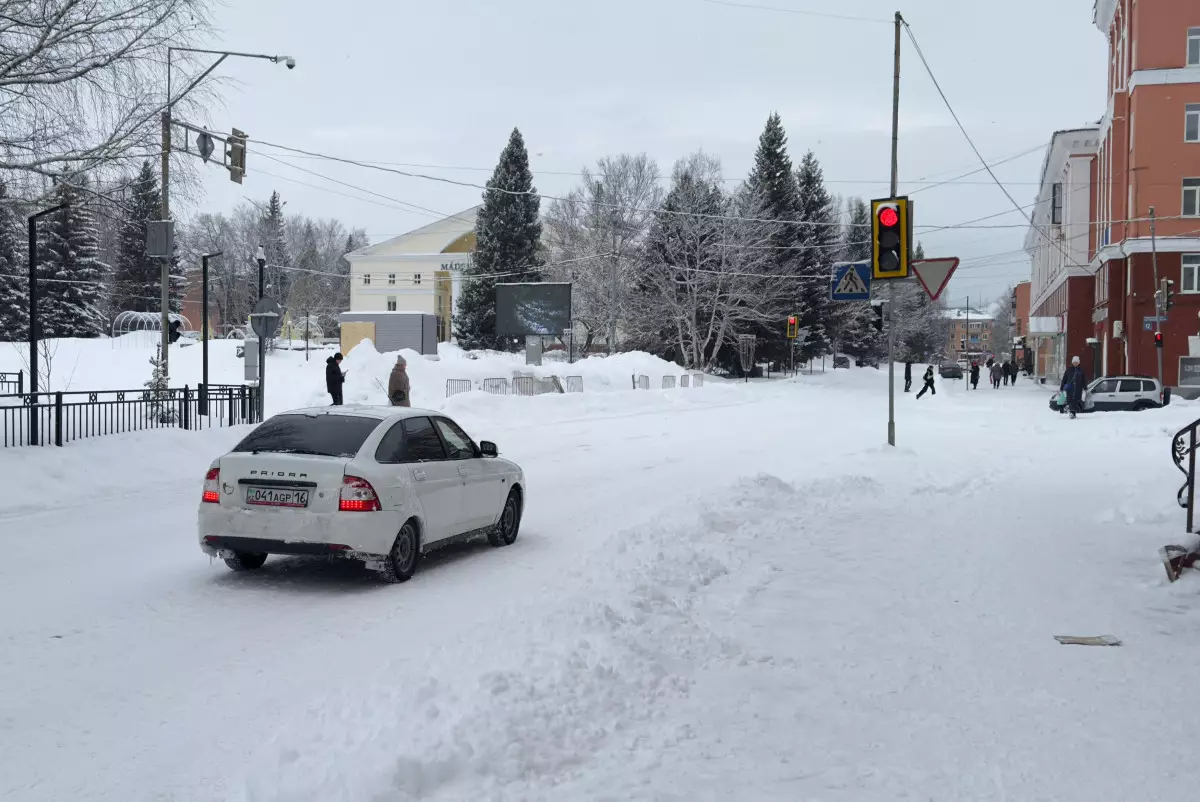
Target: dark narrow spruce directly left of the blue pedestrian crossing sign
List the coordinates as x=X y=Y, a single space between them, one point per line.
x=819 y=236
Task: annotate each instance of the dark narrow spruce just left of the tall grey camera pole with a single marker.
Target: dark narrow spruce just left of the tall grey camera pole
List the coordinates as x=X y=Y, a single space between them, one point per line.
x=137 y=277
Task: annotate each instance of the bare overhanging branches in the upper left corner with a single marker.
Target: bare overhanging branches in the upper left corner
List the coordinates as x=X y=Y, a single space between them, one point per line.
x=82 y=82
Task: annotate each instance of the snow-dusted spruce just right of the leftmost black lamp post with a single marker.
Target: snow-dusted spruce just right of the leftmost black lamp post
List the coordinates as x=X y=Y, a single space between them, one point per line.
x=71 y=277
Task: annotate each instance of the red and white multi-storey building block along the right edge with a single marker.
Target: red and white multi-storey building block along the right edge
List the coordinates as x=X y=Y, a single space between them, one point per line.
x=1147 y=157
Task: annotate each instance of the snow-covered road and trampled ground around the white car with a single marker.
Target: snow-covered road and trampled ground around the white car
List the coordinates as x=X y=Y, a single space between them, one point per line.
x=735 y=592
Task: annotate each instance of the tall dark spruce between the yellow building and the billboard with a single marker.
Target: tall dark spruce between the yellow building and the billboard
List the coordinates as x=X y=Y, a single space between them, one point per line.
x=508 y=247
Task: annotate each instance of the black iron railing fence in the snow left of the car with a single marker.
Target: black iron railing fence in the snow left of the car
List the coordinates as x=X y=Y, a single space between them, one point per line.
x=59 y=418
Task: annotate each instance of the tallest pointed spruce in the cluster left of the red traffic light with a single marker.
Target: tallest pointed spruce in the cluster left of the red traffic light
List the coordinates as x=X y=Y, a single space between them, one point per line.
x=775 y=184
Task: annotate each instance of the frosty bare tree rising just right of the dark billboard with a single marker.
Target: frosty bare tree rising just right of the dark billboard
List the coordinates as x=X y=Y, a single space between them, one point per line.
x=597 y=235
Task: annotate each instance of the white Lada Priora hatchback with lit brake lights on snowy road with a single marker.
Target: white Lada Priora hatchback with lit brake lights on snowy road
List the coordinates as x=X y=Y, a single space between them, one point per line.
x=383 y=486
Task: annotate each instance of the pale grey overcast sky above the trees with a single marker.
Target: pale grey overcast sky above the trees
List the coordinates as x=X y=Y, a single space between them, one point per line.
x=442 y=83
